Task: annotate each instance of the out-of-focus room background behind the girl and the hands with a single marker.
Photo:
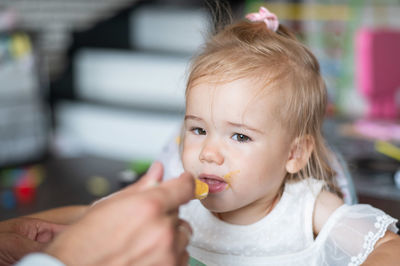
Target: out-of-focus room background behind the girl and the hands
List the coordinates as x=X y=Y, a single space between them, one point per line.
x=92 y=90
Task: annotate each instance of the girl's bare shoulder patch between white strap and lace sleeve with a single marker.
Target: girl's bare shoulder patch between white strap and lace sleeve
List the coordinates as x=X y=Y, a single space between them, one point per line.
x=325 y=204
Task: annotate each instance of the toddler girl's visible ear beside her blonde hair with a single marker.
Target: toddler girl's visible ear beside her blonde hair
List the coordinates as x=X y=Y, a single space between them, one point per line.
x=300 y=153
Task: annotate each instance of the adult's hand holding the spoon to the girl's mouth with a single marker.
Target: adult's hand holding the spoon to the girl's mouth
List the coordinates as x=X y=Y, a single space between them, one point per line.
x=136 y=226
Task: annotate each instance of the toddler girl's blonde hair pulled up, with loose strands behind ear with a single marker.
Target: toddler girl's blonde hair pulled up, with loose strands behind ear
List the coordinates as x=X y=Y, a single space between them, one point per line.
x=250 y=50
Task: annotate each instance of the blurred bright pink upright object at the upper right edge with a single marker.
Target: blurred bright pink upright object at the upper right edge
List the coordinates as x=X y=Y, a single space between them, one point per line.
x=378 y=71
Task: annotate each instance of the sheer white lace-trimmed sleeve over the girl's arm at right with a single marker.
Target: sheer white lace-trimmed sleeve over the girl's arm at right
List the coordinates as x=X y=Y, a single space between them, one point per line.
x=352 y=232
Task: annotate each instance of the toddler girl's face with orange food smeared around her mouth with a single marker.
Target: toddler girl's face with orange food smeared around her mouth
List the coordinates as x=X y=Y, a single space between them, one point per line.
x=233 y=142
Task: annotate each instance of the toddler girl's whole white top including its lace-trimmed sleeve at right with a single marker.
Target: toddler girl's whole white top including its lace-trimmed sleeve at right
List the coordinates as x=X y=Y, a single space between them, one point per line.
x=285 y=235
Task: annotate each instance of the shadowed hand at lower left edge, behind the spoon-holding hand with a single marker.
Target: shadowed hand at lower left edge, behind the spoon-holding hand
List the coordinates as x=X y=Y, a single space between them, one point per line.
x=23 y=235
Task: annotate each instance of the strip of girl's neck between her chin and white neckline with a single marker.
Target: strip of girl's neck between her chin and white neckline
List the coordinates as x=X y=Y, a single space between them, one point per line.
x=249 y=214
